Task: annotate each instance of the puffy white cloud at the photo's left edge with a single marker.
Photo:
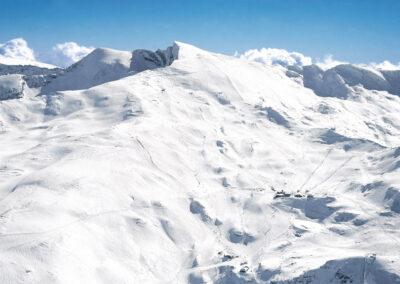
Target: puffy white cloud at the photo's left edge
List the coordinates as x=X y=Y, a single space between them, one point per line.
x=17 y=49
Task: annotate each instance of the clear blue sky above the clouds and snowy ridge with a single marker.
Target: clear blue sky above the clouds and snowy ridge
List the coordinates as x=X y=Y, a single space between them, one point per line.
x=355 y=31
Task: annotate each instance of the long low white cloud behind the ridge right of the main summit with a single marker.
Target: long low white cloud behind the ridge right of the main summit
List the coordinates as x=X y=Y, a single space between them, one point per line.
x=275 y=56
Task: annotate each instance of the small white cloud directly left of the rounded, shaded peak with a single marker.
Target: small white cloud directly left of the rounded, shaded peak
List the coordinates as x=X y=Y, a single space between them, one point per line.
x=65 y=54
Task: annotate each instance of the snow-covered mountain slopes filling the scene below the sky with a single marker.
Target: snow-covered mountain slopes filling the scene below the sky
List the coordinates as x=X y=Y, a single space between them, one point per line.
x=210 y=170
